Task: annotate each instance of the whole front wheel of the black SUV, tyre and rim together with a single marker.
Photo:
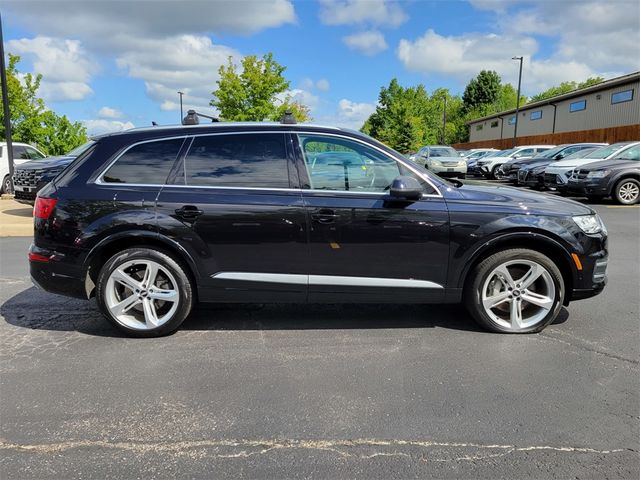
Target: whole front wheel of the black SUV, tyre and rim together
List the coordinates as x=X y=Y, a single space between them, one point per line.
x=485 y=284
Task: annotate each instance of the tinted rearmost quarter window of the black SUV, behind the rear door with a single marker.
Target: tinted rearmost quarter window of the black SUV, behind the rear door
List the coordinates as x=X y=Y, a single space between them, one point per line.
x=146 y=163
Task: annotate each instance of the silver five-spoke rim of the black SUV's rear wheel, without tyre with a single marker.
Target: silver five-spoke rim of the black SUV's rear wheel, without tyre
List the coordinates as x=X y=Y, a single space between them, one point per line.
x=142 y=294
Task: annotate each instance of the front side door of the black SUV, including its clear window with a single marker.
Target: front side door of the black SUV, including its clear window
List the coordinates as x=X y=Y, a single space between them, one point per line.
x=363 y=245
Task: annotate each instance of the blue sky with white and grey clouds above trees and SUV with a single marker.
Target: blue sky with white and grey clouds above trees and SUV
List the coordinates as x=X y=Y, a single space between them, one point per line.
x=116 y=64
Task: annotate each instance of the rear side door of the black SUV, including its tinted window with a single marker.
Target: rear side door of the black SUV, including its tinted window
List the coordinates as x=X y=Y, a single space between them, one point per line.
x=233 y=205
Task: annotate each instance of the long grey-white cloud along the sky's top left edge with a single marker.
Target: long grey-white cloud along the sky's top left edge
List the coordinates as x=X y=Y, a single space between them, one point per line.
x=104 y=20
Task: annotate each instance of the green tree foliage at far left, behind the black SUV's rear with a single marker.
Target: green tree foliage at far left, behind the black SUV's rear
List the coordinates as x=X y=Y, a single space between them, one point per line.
x=31 y=122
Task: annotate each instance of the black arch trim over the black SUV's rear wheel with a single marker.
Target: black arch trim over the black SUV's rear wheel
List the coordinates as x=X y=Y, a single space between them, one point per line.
x=118 y=242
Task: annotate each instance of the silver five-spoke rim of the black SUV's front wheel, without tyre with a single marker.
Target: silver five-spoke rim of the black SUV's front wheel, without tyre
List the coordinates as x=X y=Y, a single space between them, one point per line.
x=518 y=294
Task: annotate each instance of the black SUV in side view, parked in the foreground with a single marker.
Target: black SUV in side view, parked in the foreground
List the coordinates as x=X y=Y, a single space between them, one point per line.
x=150 y=221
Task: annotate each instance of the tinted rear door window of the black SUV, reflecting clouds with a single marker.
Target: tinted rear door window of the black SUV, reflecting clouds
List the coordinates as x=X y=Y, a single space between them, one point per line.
x=252 y=160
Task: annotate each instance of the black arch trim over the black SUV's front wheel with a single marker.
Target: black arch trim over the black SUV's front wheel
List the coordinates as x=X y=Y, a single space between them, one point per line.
x=536 y=242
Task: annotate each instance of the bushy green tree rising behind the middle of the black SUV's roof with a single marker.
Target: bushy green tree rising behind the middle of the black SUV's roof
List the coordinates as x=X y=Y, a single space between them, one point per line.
x=255 y=94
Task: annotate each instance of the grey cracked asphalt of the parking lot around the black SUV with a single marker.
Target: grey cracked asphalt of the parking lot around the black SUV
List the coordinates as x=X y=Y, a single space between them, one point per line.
x=359 y=391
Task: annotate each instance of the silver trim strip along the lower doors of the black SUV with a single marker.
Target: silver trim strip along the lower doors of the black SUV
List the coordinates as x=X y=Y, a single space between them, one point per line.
x=326 y=280
